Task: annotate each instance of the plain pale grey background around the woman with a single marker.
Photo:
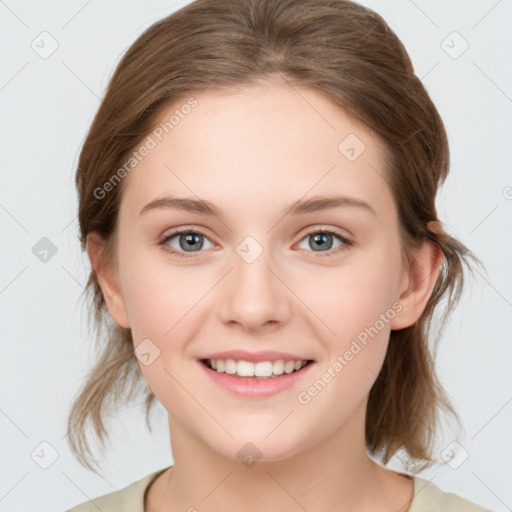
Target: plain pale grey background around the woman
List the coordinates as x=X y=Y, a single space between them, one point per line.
x=47 y=105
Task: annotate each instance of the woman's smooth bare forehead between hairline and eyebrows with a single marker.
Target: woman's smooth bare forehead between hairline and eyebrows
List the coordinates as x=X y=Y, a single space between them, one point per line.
x=258 y=146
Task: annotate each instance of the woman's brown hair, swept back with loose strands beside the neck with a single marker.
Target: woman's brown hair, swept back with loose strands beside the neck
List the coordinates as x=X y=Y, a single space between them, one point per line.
x=347 y=53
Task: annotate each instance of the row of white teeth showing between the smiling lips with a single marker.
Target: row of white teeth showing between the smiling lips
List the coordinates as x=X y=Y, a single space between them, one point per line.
x=261 y=370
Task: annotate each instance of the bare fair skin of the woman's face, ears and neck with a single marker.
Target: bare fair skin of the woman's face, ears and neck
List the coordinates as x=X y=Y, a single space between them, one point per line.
x=253 y=152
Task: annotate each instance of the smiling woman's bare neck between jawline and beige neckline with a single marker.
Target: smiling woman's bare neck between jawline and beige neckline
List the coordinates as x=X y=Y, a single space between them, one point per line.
x=336 y=474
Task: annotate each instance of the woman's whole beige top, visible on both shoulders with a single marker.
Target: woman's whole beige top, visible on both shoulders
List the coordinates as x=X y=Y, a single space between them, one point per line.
x=427 y=498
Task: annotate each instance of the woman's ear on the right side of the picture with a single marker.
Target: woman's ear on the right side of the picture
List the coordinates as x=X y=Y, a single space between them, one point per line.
x=419 y=281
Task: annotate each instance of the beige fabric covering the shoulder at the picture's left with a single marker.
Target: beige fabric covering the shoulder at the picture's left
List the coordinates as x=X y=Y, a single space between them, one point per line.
x=127 y=499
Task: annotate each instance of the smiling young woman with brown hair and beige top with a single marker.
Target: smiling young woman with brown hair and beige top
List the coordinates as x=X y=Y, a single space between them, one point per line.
x=257 y=199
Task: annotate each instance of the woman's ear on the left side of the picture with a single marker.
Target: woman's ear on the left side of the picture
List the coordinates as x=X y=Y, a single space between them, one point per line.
x=108 y=278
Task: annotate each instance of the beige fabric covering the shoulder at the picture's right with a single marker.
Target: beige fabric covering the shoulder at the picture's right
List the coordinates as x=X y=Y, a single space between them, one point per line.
x=430 y=498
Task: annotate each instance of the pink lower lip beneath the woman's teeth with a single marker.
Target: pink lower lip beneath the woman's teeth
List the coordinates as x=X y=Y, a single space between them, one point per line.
x=250 y=387
